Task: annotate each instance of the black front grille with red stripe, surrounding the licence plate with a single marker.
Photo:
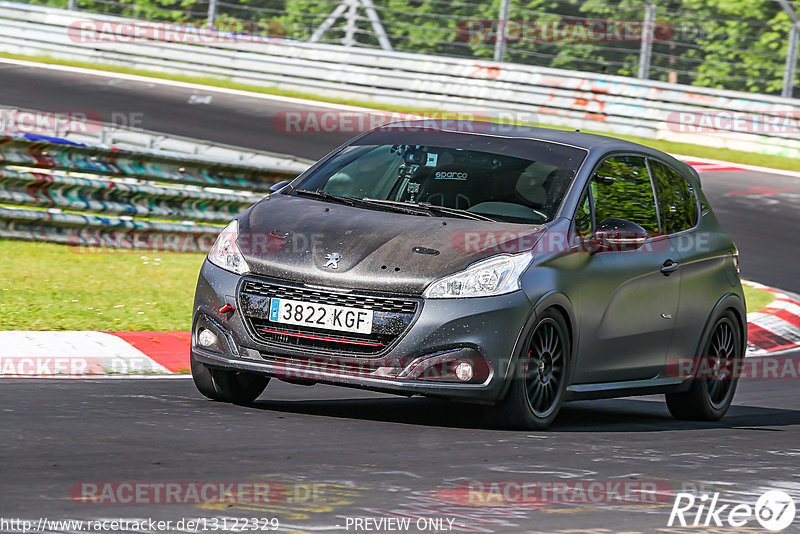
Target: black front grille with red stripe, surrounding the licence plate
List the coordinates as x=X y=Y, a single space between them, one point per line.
x=391 y=318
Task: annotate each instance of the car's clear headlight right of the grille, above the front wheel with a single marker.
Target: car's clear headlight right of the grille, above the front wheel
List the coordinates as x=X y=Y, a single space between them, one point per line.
x=494 y=276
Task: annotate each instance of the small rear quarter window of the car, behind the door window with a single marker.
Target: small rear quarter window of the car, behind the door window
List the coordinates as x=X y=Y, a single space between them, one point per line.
x=677 y=200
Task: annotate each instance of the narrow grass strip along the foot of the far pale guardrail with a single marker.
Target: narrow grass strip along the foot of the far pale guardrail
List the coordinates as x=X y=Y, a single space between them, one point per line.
x=700 y=151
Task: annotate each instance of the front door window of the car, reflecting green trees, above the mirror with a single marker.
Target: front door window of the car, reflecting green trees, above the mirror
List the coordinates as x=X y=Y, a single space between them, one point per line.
x=621 y=189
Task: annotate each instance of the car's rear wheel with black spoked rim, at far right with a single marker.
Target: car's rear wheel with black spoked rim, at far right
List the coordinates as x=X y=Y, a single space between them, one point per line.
x=716 y=378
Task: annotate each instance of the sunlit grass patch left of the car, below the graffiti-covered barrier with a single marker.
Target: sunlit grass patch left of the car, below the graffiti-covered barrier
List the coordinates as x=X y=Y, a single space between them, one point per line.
x=54 y=287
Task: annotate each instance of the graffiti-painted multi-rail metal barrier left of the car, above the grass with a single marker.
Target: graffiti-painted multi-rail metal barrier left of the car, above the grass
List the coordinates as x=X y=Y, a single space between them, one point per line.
x=104 y=196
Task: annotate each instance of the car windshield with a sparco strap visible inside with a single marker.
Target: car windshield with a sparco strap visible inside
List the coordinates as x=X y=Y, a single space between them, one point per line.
x=517 y=180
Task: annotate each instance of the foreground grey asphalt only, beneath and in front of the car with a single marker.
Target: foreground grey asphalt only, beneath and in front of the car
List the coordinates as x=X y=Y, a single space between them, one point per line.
x=371 y=455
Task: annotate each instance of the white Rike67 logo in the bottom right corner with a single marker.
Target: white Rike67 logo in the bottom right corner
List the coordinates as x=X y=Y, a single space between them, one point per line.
x=774 y=511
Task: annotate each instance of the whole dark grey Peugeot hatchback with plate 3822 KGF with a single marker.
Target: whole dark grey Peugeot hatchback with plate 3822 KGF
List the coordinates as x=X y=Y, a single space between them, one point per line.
x=503 y=265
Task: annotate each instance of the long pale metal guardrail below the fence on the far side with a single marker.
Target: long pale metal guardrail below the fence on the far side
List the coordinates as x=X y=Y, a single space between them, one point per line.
x=573 y=99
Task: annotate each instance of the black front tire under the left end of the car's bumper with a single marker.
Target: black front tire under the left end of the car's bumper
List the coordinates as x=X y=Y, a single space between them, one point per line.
x=237 y=387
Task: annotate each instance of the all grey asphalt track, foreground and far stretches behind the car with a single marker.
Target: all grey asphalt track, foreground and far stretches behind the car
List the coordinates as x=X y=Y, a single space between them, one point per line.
x=373 y=455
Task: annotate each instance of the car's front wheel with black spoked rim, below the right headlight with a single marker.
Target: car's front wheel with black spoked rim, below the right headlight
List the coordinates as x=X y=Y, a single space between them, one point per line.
x=540 y=378
